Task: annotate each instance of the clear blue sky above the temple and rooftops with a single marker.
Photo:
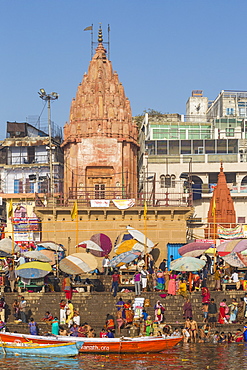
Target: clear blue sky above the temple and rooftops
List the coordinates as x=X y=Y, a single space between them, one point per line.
x=161 y=49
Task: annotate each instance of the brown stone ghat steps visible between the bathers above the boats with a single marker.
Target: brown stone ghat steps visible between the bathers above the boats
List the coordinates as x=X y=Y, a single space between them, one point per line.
x=94 y=307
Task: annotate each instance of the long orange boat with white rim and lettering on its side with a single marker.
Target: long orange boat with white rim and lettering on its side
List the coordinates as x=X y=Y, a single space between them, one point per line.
x=101 y=345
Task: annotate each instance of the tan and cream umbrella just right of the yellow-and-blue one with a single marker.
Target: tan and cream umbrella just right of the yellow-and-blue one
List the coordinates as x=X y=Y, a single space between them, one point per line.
x=78 y=263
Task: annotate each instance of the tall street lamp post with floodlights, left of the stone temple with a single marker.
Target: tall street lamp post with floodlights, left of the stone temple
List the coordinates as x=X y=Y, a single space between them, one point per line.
x=48 y=97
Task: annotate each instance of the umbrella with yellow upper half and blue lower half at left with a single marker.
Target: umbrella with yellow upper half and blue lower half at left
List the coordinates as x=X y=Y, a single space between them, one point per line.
x=33 y=270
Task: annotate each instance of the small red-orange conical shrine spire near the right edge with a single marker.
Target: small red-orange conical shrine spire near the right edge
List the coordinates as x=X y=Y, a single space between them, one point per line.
x=221 y=209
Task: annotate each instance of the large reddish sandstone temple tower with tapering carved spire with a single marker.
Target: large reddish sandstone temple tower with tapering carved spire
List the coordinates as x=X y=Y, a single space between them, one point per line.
x=100 y=139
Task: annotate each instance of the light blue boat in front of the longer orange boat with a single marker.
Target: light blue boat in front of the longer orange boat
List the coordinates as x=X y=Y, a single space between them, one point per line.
x=70 y=349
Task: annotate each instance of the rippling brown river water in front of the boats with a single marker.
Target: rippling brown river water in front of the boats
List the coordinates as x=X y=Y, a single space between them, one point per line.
x=183 y=356
